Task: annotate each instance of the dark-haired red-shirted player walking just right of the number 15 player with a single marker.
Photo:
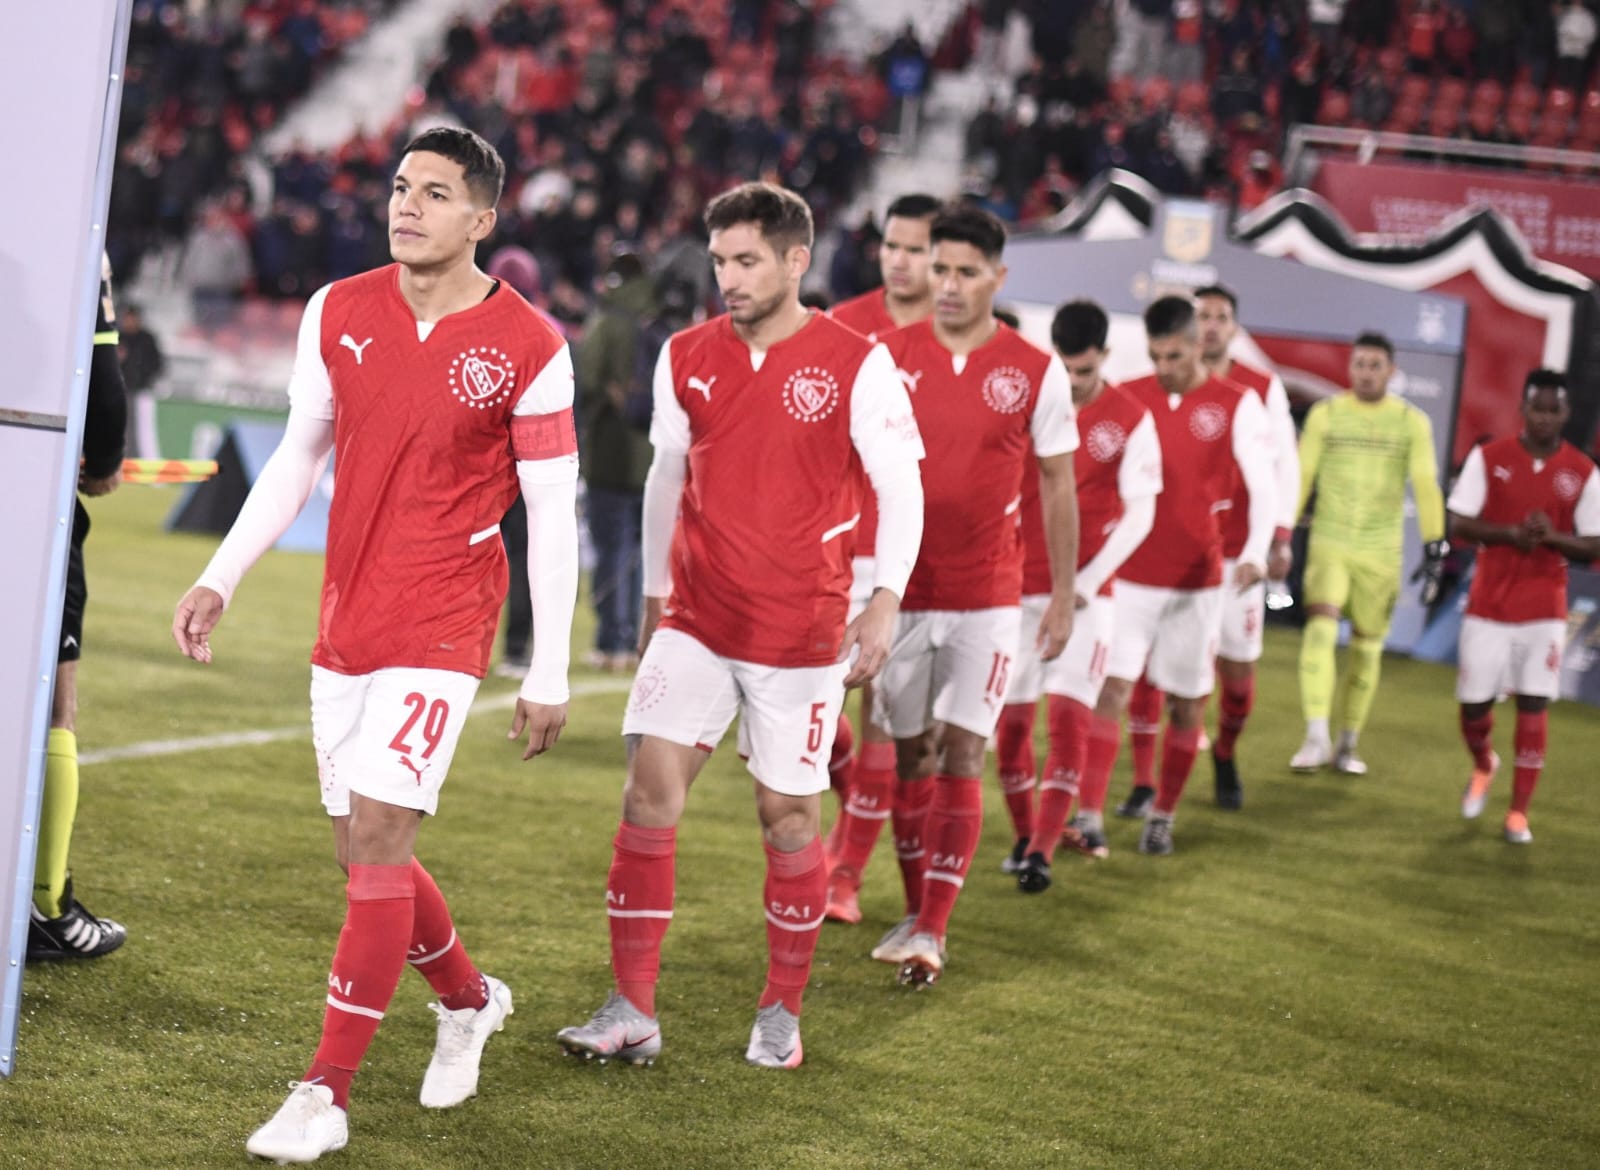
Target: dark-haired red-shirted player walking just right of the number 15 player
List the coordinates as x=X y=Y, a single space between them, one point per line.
x=1119 y=475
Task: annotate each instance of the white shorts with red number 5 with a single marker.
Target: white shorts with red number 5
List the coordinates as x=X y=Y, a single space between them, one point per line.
x=689 y=695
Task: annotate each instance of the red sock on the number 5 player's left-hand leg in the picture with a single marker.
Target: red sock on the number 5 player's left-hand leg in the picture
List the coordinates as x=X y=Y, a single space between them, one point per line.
x=639 y=907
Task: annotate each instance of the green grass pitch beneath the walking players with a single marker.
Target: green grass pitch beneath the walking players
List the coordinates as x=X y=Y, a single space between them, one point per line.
x=1343 y=976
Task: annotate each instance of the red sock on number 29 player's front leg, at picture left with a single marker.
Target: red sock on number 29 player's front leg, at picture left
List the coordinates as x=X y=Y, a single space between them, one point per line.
x=367 y=968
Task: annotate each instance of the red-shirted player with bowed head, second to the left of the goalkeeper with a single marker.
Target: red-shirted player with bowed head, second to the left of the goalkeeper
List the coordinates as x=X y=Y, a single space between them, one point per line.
x=1170 y=593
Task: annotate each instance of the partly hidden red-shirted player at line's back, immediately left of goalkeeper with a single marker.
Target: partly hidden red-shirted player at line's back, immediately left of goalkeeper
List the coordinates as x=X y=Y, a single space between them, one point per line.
x=1244 y=614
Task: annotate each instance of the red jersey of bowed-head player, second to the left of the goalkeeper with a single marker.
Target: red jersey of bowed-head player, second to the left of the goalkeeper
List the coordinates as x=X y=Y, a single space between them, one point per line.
x=1207 y=436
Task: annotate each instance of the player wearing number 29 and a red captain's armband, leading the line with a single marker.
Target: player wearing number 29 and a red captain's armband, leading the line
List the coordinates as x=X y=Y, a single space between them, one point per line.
x=442 y=395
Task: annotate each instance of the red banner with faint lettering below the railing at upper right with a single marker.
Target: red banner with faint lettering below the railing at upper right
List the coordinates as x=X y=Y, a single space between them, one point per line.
x=1559 y=218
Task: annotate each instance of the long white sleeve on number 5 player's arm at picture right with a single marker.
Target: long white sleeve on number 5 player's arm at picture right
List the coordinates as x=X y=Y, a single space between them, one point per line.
x=884 y=431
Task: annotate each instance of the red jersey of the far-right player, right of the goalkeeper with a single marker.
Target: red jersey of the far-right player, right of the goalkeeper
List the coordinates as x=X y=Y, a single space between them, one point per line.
x=1503 y=484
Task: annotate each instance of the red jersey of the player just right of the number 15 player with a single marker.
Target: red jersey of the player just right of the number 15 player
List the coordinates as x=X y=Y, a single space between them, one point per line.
x=1118 y=462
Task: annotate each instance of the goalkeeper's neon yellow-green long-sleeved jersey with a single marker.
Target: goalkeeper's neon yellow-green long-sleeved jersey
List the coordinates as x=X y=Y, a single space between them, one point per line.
x=1359 y=455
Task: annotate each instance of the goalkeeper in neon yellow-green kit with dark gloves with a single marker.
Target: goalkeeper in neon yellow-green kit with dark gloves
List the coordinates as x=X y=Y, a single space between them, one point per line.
x=1358 y=452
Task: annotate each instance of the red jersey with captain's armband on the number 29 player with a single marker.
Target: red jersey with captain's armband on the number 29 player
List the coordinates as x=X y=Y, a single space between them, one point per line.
x=415 y=571
